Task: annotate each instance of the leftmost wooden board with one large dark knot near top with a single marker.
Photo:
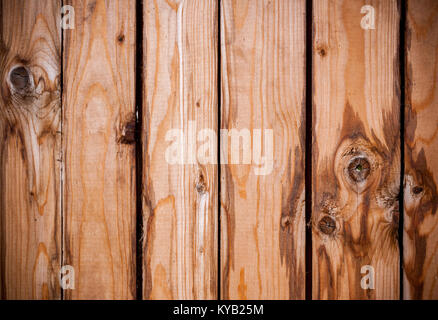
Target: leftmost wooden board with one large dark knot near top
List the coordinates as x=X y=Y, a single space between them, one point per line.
x=30 y=66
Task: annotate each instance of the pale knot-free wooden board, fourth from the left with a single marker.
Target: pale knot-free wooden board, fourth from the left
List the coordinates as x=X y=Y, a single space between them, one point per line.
x=262 y=209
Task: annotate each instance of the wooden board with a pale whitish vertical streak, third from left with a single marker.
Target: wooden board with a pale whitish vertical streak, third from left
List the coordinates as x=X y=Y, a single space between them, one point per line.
x=180 y=194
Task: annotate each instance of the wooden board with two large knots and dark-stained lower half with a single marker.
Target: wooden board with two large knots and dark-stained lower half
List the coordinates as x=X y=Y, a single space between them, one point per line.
x=356 y=151
